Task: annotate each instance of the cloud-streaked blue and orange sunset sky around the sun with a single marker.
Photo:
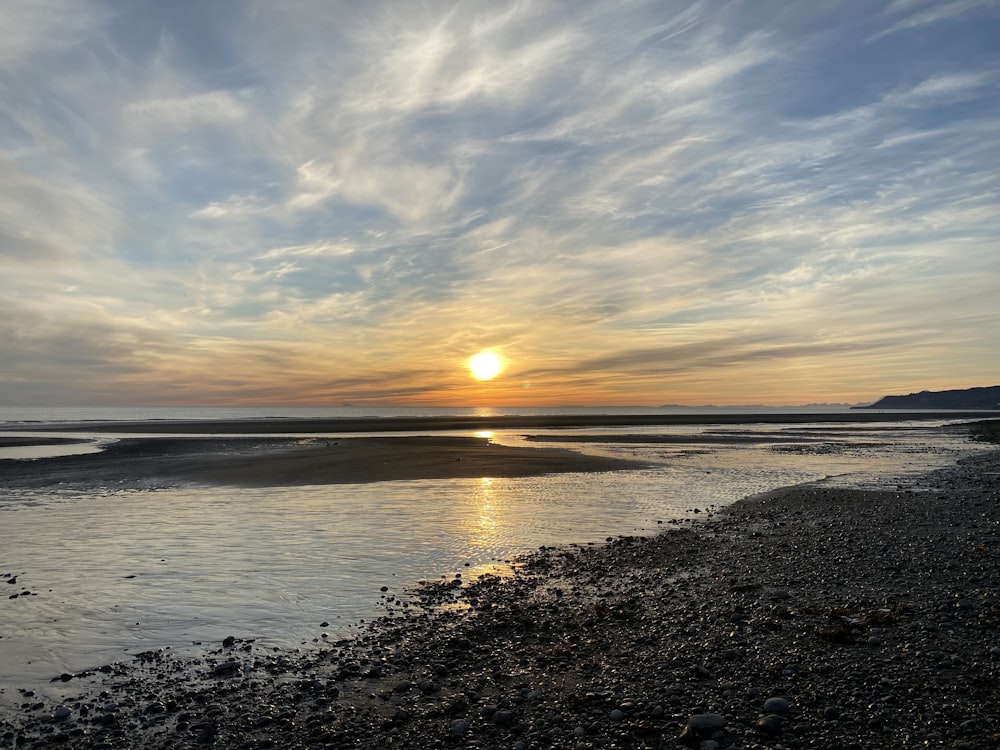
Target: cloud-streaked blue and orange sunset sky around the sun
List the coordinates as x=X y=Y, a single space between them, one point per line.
x=642 y=202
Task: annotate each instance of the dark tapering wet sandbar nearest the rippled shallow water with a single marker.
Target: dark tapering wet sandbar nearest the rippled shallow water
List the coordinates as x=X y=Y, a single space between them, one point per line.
x=271 y=462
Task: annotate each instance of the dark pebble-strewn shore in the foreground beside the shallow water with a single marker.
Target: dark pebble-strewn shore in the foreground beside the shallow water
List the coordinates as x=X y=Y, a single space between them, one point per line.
x=811 y=617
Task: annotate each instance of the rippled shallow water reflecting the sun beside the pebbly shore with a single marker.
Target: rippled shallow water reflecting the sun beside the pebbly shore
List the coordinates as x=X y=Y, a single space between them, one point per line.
x=116 y=573
